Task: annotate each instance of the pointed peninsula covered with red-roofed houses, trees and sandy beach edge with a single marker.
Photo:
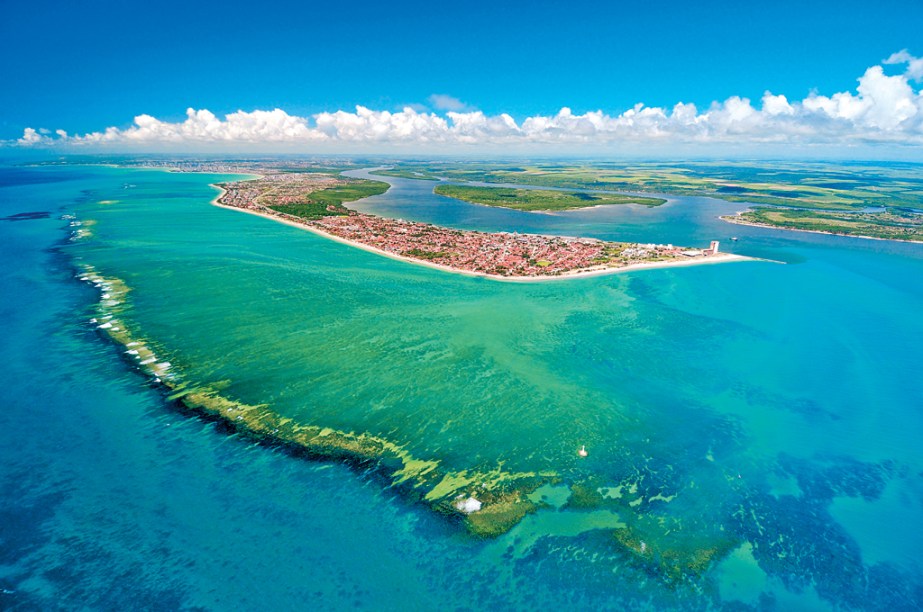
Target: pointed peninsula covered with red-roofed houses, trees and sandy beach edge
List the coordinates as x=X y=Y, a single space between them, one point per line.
x=315 y=202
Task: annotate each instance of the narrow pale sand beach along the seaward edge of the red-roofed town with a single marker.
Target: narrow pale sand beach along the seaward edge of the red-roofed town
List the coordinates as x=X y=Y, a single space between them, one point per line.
x=585 y=273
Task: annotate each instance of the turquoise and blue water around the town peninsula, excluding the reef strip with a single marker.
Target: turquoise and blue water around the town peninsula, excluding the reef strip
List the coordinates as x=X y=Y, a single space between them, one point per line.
x=769 y=413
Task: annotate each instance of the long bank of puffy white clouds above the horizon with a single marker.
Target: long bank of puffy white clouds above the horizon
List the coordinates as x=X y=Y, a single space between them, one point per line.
x=883 y=110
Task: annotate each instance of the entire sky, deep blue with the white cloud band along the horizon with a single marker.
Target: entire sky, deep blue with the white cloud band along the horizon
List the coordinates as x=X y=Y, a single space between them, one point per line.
x=383 y=76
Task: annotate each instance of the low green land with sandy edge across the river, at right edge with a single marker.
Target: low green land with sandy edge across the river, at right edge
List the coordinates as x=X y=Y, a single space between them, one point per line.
x=890 y=225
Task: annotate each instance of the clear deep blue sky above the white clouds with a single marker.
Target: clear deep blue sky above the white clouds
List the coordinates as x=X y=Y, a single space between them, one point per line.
x=84 y=66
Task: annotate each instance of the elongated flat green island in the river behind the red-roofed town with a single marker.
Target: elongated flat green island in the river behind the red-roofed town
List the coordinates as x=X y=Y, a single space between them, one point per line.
x=538 y=199
